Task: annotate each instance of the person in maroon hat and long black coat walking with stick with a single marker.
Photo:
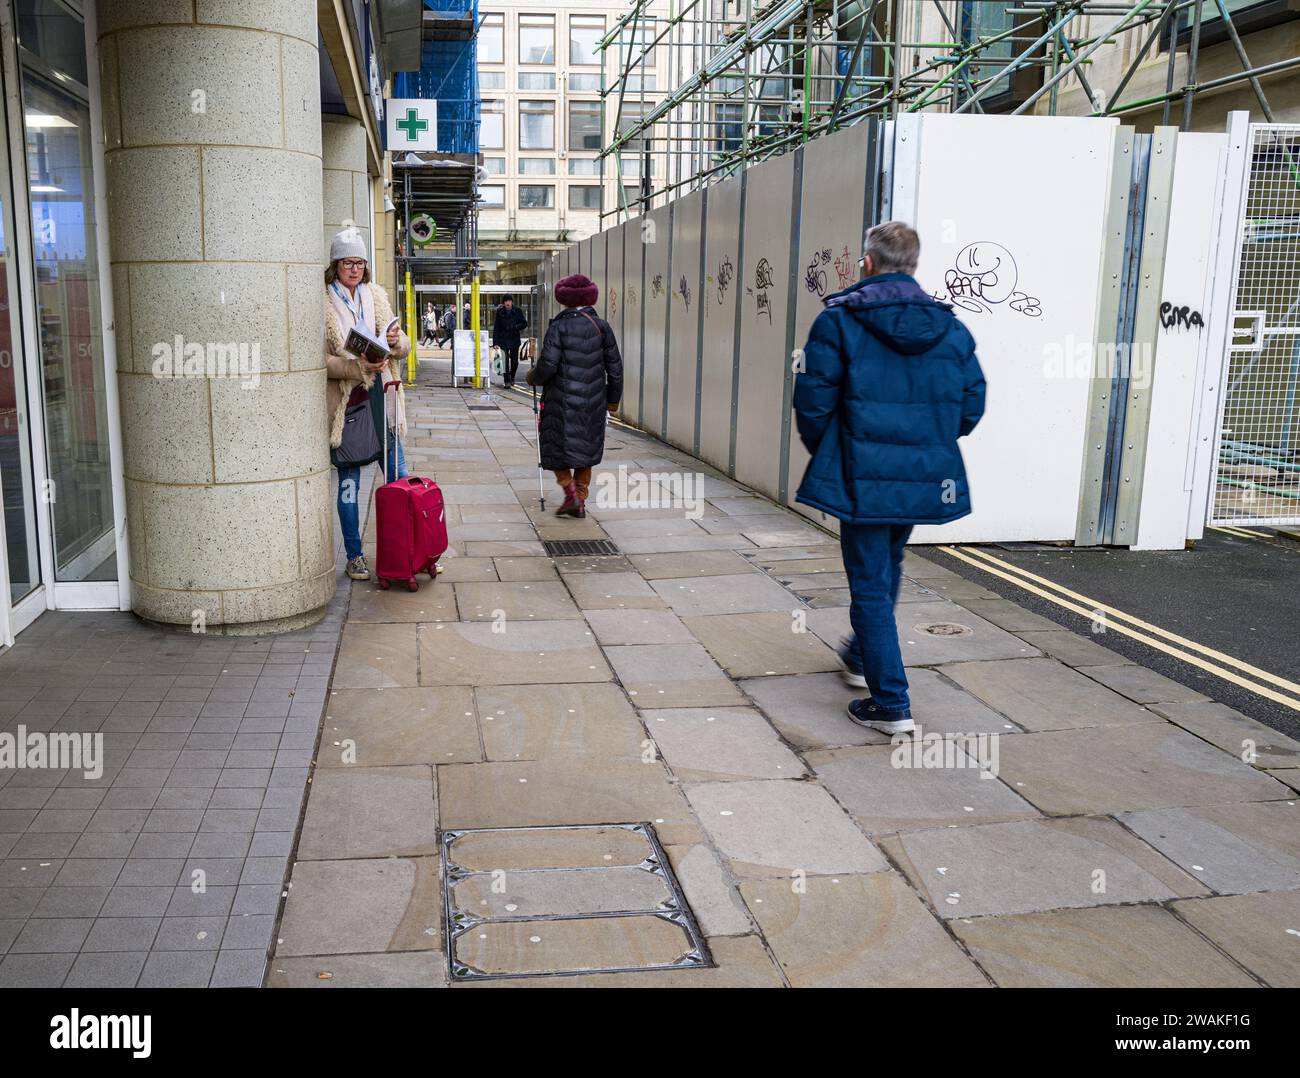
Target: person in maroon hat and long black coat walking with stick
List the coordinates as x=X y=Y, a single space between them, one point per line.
x=582 y=376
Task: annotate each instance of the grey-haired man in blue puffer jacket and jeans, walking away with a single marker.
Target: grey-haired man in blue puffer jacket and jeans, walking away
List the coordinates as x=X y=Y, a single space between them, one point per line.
x=890 y=384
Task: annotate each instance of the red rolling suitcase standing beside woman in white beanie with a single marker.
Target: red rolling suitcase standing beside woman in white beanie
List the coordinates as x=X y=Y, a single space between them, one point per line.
x=411 y=530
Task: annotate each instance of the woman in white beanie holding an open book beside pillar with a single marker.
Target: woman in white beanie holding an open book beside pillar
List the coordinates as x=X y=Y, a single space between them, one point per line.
x=352 y=301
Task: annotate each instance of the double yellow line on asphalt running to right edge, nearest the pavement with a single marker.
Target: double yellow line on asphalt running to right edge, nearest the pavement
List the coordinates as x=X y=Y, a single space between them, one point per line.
x=1228 y=668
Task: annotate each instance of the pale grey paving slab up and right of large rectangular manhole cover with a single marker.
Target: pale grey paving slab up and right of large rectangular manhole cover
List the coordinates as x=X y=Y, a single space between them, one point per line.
x=773 y=829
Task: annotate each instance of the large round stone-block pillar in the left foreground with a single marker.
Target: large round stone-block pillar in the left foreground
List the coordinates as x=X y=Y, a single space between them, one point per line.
x=214 y=149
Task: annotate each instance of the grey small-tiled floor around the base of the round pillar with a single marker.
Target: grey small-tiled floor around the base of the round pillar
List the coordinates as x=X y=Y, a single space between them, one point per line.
x=168 y=869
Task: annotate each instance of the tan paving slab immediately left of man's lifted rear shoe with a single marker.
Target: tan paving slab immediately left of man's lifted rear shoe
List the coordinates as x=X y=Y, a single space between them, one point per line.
x=753 y=646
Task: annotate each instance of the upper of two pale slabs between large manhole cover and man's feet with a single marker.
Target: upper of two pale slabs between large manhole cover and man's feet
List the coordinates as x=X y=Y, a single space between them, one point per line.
x=710 y=744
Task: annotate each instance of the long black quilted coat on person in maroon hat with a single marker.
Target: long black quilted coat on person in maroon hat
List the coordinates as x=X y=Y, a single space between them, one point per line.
x=582 y=374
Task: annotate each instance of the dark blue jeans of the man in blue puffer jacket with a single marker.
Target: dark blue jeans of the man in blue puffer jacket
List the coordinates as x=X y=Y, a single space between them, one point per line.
x=873 y=560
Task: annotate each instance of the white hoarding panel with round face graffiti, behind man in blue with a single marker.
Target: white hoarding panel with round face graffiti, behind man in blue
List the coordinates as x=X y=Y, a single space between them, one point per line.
x=1012 y=219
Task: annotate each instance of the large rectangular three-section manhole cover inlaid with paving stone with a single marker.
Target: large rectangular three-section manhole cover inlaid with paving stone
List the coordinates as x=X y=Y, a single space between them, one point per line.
x=564 y=901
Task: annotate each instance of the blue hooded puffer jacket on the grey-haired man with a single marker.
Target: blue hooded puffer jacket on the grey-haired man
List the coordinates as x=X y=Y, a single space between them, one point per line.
x=891 y=383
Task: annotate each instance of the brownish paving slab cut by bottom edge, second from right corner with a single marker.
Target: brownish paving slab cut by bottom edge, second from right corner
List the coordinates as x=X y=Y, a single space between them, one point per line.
x=1128 y=947
